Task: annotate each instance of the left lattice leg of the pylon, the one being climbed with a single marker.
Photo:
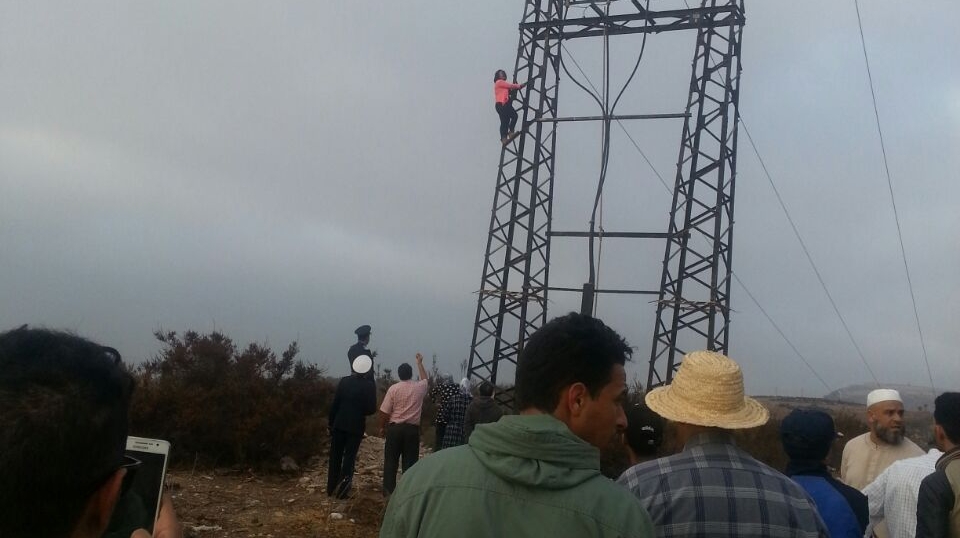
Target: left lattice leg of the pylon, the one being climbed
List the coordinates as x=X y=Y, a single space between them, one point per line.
x=512 y=301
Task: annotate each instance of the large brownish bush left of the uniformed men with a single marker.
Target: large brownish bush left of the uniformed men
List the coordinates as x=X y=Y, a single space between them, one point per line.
x=218 y=405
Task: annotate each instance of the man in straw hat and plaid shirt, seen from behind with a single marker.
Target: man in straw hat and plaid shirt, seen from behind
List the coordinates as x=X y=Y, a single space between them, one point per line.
x=712 y=487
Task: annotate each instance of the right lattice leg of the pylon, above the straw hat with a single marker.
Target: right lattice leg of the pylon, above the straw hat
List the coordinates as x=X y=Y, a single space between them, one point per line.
x=693 y=311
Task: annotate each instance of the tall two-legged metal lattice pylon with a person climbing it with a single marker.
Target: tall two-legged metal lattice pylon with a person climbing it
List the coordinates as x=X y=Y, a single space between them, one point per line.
x=512 y=300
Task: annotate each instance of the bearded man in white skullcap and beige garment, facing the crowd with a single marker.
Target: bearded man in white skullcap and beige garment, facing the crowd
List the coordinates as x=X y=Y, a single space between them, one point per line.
x=868 y=455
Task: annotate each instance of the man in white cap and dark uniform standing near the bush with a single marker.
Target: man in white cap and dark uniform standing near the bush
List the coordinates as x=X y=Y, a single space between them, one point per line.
x=356 y=398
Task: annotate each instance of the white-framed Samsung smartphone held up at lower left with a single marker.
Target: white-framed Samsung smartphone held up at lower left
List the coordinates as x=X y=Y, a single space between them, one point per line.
x=139 y=502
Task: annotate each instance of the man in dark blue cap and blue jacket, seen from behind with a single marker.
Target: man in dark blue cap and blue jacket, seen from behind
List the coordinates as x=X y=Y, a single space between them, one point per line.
x=807 y=435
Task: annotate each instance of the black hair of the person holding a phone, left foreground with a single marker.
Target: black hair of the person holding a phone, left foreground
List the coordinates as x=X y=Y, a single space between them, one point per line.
x=63 y=428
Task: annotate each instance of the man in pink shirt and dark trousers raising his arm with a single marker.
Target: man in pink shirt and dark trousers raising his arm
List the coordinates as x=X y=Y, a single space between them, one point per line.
x=400 y=422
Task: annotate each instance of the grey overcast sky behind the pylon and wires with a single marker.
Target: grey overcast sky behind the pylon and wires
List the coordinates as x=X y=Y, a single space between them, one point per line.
x=290 y=170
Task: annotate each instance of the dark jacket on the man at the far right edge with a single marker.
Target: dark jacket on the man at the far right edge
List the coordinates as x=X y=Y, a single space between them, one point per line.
x=938 y=503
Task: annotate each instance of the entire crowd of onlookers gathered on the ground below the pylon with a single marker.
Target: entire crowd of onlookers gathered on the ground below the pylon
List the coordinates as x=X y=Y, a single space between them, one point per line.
x=63 y=424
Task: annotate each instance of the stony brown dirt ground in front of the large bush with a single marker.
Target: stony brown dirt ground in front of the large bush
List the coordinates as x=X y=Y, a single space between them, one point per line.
x=244 y=504
